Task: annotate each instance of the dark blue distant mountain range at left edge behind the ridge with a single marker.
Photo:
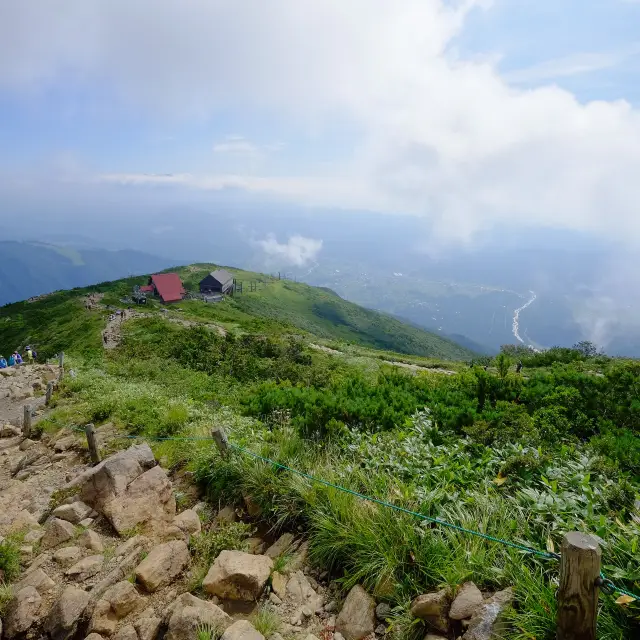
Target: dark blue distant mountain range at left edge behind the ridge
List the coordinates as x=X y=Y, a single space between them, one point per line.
x=31 y=268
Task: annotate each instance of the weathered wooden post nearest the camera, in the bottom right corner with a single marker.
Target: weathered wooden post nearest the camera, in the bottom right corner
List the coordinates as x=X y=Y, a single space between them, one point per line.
x=578 y=590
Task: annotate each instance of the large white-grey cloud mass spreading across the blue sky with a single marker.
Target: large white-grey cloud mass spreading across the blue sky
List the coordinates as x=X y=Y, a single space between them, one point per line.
x=438 y=135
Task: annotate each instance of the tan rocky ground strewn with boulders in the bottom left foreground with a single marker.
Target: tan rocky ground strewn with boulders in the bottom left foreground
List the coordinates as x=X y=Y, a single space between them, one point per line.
x=105 y=555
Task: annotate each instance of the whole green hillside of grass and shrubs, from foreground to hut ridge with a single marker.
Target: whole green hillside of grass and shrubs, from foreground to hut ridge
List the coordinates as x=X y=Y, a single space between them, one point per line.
x=298 y=375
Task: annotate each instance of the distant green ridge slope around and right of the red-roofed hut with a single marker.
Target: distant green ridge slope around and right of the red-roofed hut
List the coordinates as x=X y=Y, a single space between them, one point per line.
x=273 y=306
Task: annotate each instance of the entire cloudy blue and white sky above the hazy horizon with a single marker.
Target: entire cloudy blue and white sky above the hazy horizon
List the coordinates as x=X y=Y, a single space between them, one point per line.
x=472 y=113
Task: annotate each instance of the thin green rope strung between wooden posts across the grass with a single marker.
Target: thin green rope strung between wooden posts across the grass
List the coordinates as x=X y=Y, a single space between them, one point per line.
x=605 y=584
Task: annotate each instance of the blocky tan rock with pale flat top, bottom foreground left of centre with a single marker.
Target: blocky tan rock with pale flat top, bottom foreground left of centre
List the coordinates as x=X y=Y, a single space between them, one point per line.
x=236 y=575
